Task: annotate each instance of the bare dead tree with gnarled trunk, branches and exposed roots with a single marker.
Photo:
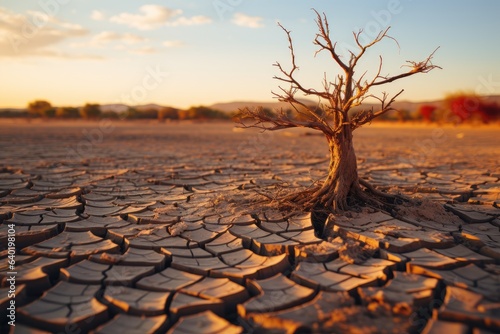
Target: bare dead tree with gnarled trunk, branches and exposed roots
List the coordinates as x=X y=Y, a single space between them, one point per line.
x=342 y=188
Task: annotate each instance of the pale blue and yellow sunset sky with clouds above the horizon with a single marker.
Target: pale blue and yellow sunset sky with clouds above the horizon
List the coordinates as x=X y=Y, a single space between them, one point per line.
x=200 y=52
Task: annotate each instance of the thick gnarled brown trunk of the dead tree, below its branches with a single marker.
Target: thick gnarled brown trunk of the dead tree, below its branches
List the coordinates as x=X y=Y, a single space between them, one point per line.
x=342 y=180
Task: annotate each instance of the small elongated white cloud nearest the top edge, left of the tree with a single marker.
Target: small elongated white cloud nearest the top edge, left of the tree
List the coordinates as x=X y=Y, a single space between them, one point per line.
x=155 y=16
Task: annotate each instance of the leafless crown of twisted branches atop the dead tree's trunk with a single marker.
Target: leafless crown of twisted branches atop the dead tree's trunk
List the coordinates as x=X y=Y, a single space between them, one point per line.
x=345 y=93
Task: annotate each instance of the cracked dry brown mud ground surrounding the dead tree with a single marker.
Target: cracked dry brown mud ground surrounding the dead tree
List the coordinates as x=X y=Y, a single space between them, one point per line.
x=137 y=228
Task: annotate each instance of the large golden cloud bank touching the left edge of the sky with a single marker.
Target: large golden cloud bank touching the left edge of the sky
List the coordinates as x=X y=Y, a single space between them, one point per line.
x=35 y=34
